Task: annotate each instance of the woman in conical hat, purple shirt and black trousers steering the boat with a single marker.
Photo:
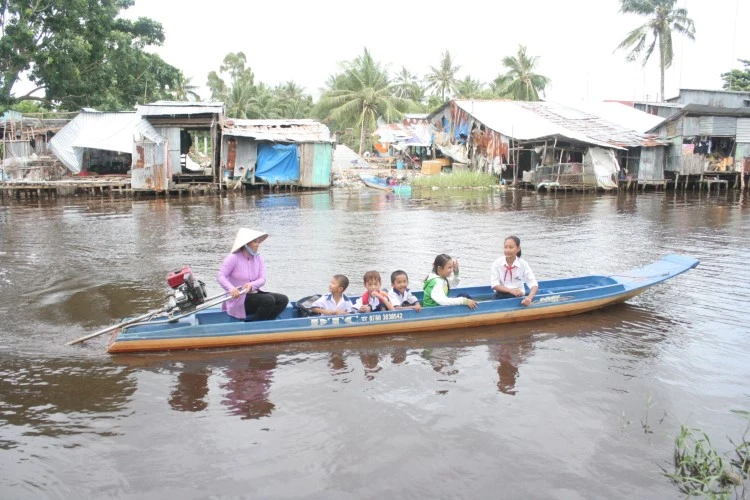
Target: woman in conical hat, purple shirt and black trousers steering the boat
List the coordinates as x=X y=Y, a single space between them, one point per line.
x=245 y=270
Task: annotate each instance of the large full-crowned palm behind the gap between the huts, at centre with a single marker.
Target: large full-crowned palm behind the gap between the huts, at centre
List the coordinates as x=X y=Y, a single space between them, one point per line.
x=359 y=96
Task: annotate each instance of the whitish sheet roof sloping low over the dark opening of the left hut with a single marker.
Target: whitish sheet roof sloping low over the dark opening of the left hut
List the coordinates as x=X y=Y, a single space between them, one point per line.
x=109 y=131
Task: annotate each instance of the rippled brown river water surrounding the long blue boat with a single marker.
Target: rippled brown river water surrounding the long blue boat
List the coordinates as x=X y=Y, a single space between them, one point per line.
x=580 y=407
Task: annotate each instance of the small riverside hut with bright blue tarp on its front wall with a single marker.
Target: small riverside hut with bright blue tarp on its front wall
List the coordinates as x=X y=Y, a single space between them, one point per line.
x=278 y=153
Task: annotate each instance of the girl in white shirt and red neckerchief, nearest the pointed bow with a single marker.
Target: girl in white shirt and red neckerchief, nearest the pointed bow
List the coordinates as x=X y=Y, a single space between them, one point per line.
x=508 y=274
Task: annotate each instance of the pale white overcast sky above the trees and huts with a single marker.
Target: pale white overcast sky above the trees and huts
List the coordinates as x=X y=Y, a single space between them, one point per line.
x=575 y=40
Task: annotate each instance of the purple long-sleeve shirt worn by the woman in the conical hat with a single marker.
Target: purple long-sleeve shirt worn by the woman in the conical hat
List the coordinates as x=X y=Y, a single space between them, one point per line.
x=239 y=269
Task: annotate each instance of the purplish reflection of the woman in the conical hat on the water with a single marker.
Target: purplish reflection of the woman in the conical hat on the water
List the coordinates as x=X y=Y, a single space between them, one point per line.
x=248 y=386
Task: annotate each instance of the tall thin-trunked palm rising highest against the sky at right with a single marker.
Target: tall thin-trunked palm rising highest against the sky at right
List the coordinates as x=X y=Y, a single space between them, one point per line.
x=663 y=19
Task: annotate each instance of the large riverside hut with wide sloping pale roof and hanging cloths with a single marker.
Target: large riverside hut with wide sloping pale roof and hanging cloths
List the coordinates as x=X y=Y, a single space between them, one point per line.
x=545 y=144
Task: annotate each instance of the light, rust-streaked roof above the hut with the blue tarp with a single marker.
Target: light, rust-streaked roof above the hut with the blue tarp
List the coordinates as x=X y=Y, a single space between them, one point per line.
x=278 y=130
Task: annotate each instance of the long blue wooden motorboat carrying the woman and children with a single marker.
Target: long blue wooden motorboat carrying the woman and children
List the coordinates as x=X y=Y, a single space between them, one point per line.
x=212 y=328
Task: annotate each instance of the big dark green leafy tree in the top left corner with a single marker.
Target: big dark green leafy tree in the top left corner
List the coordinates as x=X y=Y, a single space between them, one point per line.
x=80 y=53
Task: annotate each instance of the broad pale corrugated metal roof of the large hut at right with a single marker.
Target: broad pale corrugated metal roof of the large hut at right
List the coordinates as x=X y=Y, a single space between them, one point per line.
x=537 y=120
